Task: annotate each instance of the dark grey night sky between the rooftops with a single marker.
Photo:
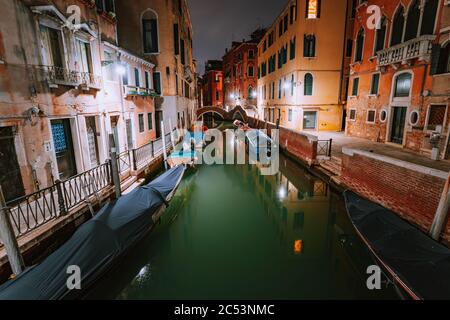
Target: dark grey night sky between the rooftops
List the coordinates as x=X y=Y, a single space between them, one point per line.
x=217 y=22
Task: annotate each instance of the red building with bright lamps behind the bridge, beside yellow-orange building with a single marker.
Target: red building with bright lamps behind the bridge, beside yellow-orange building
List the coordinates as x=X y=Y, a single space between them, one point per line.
x=240 y=64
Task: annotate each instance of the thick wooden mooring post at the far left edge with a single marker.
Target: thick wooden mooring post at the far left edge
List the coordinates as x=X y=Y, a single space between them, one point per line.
x=9 y=238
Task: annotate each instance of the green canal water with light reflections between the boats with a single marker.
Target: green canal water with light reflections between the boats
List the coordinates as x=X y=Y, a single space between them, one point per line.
x=231 y=233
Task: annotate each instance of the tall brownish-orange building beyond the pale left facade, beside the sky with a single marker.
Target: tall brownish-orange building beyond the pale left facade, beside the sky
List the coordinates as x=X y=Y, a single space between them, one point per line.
x=161 y=31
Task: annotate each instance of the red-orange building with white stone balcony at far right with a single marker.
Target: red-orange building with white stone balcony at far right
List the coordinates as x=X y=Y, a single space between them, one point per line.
x=399 y=87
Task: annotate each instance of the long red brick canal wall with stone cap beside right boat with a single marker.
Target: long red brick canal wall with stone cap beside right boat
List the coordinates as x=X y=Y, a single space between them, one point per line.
x=411 y=191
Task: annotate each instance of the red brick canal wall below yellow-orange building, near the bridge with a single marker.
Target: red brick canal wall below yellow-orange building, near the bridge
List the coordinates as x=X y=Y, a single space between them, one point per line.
x=301 y=146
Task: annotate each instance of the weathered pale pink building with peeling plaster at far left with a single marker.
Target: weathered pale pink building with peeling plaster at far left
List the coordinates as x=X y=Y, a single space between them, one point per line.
x=61 y=95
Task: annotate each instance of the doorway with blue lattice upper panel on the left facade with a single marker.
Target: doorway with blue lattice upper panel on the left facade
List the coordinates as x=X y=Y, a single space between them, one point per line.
x=63 y=144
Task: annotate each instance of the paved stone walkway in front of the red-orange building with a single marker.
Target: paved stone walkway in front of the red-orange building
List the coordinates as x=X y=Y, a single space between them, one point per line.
x=340 y=141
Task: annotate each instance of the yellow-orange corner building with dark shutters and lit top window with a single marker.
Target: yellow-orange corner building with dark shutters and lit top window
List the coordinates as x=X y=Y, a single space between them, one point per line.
x=302 y=63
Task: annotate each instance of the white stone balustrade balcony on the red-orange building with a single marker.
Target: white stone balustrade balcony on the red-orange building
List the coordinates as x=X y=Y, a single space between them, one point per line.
x=419 y=48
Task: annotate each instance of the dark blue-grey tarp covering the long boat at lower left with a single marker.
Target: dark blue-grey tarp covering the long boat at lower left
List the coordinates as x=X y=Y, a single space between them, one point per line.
x=95 y=245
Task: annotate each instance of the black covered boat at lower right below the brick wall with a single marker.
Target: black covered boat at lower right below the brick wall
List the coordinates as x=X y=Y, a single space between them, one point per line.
x=421 y=263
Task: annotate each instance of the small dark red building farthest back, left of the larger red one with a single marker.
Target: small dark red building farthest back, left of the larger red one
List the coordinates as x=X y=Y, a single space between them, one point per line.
x=213 y=84
